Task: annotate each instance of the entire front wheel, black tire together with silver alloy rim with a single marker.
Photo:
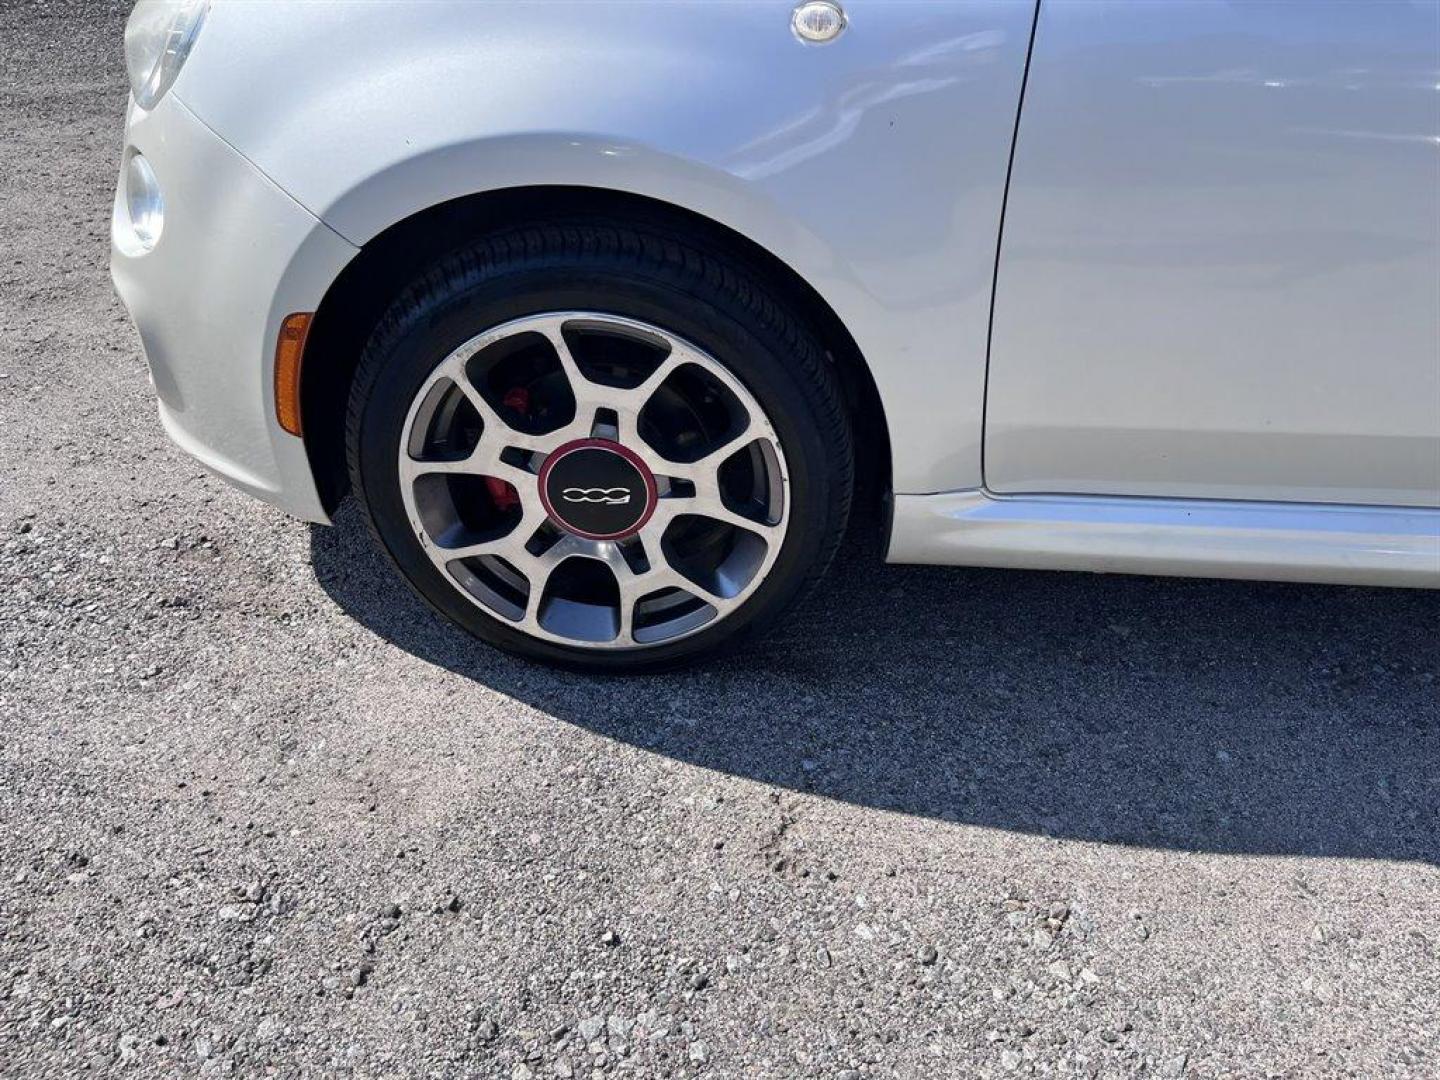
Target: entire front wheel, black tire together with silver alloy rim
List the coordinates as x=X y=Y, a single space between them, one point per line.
x=600 y=447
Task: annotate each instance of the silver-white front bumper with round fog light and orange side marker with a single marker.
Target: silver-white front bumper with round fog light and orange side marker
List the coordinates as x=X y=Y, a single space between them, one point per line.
x=237 y=257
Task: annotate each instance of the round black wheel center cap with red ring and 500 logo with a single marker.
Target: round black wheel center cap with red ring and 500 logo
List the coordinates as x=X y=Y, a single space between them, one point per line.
x=598 y=490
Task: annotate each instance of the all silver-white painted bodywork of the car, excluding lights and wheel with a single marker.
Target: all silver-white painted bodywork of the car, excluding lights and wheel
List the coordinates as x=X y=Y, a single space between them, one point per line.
x=1218 y=312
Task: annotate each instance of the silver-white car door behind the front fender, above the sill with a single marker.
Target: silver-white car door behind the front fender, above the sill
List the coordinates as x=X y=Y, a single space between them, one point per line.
x=1220 y=267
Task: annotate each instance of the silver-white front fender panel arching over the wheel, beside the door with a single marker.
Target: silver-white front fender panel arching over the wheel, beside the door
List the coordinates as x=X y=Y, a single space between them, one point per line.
x=873 y=166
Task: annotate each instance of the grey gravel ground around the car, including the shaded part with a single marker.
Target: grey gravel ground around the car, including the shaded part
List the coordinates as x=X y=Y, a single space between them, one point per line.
x=266 y=816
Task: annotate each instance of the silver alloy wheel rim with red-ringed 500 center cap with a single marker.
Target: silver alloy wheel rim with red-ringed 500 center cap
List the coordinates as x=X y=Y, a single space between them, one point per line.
x=594 y=480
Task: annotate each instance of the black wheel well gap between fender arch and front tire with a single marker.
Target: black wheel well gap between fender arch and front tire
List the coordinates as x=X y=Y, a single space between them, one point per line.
x=359 y=297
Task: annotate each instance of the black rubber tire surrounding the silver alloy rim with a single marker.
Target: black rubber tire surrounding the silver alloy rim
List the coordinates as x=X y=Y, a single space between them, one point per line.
x=647 y=274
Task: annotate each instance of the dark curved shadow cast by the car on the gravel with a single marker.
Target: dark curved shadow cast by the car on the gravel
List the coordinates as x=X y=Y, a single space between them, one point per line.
x=1171 y=714
